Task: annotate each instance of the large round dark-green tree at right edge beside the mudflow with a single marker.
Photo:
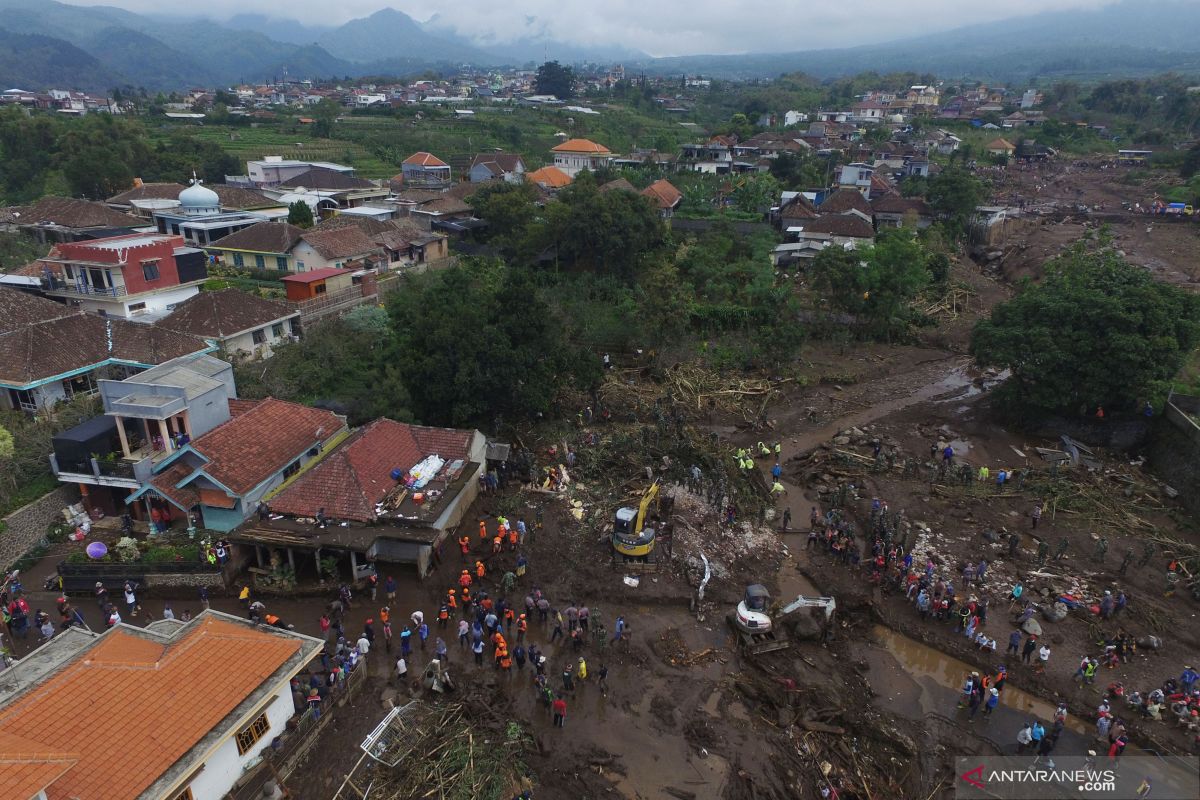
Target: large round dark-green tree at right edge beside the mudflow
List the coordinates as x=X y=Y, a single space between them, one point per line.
x=1097 y=332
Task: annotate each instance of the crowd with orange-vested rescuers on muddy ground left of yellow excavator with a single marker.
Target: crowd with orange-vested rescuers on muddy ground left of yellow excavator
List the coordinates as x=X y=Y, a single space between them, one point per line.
x=481 y=618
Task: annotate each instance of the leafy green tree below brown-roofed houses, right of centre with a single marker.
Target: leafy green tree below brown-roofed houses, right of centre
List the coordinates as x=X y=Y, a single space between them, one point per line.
x=875 y=285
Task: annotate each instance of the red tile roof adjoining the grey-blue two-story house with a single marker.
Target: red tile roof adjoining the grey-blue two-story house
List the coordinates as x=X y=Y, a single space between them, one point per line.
x=259 y=443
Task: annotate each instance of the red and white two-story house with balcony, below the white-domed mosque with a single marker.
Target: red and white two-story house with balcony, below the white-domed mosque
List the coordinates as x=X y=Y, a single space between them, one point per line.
x=137 y=276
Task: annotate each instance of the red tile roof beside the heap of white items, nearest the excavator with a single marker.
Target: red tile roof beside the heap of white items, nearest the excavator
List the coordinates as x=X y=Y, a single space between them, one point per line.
x=351 y=480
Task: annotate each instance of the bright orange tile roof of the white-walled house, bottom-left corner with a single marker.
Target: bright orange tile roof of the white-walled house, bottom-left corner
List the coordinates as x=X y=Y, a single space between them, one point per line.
x=129 y=695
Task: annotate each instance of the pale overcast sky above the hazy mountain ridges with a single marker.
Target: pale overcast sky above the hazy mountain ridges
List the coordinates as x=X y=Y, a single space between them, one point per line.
x=659 y=28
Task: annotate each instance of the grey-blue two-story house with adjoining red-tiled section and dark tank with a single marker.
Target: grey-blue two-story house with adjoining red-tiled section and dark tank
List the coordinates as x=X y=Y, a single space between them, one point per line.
x=181 y=444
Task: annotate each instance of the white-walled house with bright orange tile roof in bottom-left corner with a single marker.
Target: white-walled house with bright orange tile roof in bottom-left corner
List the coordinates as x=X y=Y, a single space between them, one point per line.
x=199 y=703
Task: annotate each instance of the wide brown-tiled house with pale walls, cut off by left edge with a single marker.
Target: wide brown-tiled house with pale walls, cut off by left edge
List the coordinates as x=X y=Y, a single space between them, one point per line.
x=51 y=352
